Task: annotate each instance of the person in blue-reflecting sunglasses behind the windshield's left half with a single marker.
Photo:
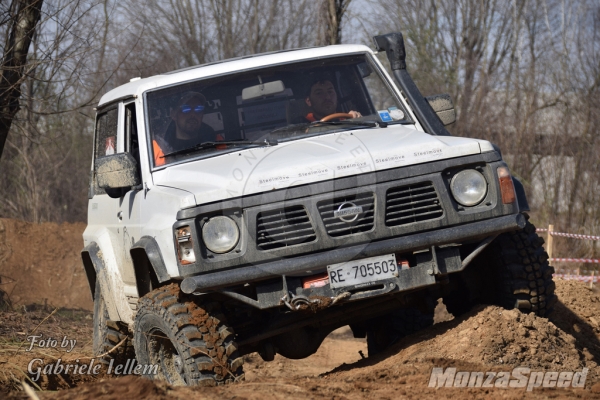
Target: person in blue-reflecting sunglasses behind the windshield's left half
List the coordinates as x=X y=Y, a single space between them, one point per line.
x=186 y=128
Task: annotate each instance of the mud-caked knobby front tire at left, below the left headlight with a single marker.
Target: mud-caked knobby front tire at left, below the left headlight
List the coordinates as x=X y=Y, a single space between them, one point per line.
x=188 y=339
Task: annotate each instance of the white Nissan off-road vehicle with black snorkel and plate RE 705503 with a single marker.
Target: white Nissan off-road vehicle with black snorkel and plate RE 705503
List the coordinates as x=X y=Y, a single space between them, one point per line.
x=229 y=213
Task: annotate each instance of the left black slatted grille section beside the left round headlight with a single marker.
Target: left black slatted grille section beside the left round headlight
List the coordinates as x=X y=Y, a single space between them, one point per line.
x=283 y=227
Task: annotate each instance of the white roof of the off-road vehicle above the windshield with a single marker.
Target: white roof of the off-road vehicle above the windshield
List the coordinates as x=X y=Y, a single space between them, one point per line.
x=137 y=87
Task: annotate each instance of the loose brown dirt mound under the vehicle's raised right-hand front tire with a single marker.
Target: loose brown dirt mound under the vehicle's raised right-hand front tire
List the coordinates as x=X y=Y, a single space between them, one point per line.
x=495 y=336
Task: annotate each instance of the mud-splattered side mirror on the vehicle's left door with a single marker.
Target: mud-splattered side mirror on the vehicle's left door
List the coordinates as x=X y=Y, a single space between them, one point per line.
x=117 y=171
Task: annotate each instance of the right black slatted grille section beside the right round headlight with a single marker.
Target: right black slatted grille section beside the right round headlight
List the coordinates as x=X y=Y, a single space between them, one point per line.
x=412 y=203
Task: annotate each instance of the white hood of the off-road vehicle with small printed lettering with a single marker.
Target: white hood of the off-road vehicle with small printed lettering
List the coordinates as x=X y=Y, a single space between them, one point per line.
x=313 y=159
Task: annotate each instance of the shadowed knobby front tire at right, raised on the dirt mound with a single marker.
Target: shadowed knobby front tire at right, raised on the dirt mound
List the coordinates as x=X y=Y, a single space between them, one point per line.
x=513 y=272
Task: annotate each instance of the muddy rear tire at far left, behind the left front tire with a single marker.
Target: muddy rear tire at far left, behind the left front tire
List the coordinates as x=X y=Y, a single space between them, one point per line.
x=107 y=334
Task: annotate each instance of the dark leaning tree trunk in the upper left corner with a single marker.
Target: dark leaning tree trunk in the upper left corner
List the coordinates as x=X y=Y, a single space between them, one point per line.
x=26 y=15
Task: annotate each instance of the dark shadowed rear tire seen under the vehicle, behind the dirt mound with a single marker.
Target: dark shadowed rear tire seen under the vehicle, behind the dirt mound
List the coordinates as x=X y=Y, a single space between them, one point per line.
x=384 y=331
